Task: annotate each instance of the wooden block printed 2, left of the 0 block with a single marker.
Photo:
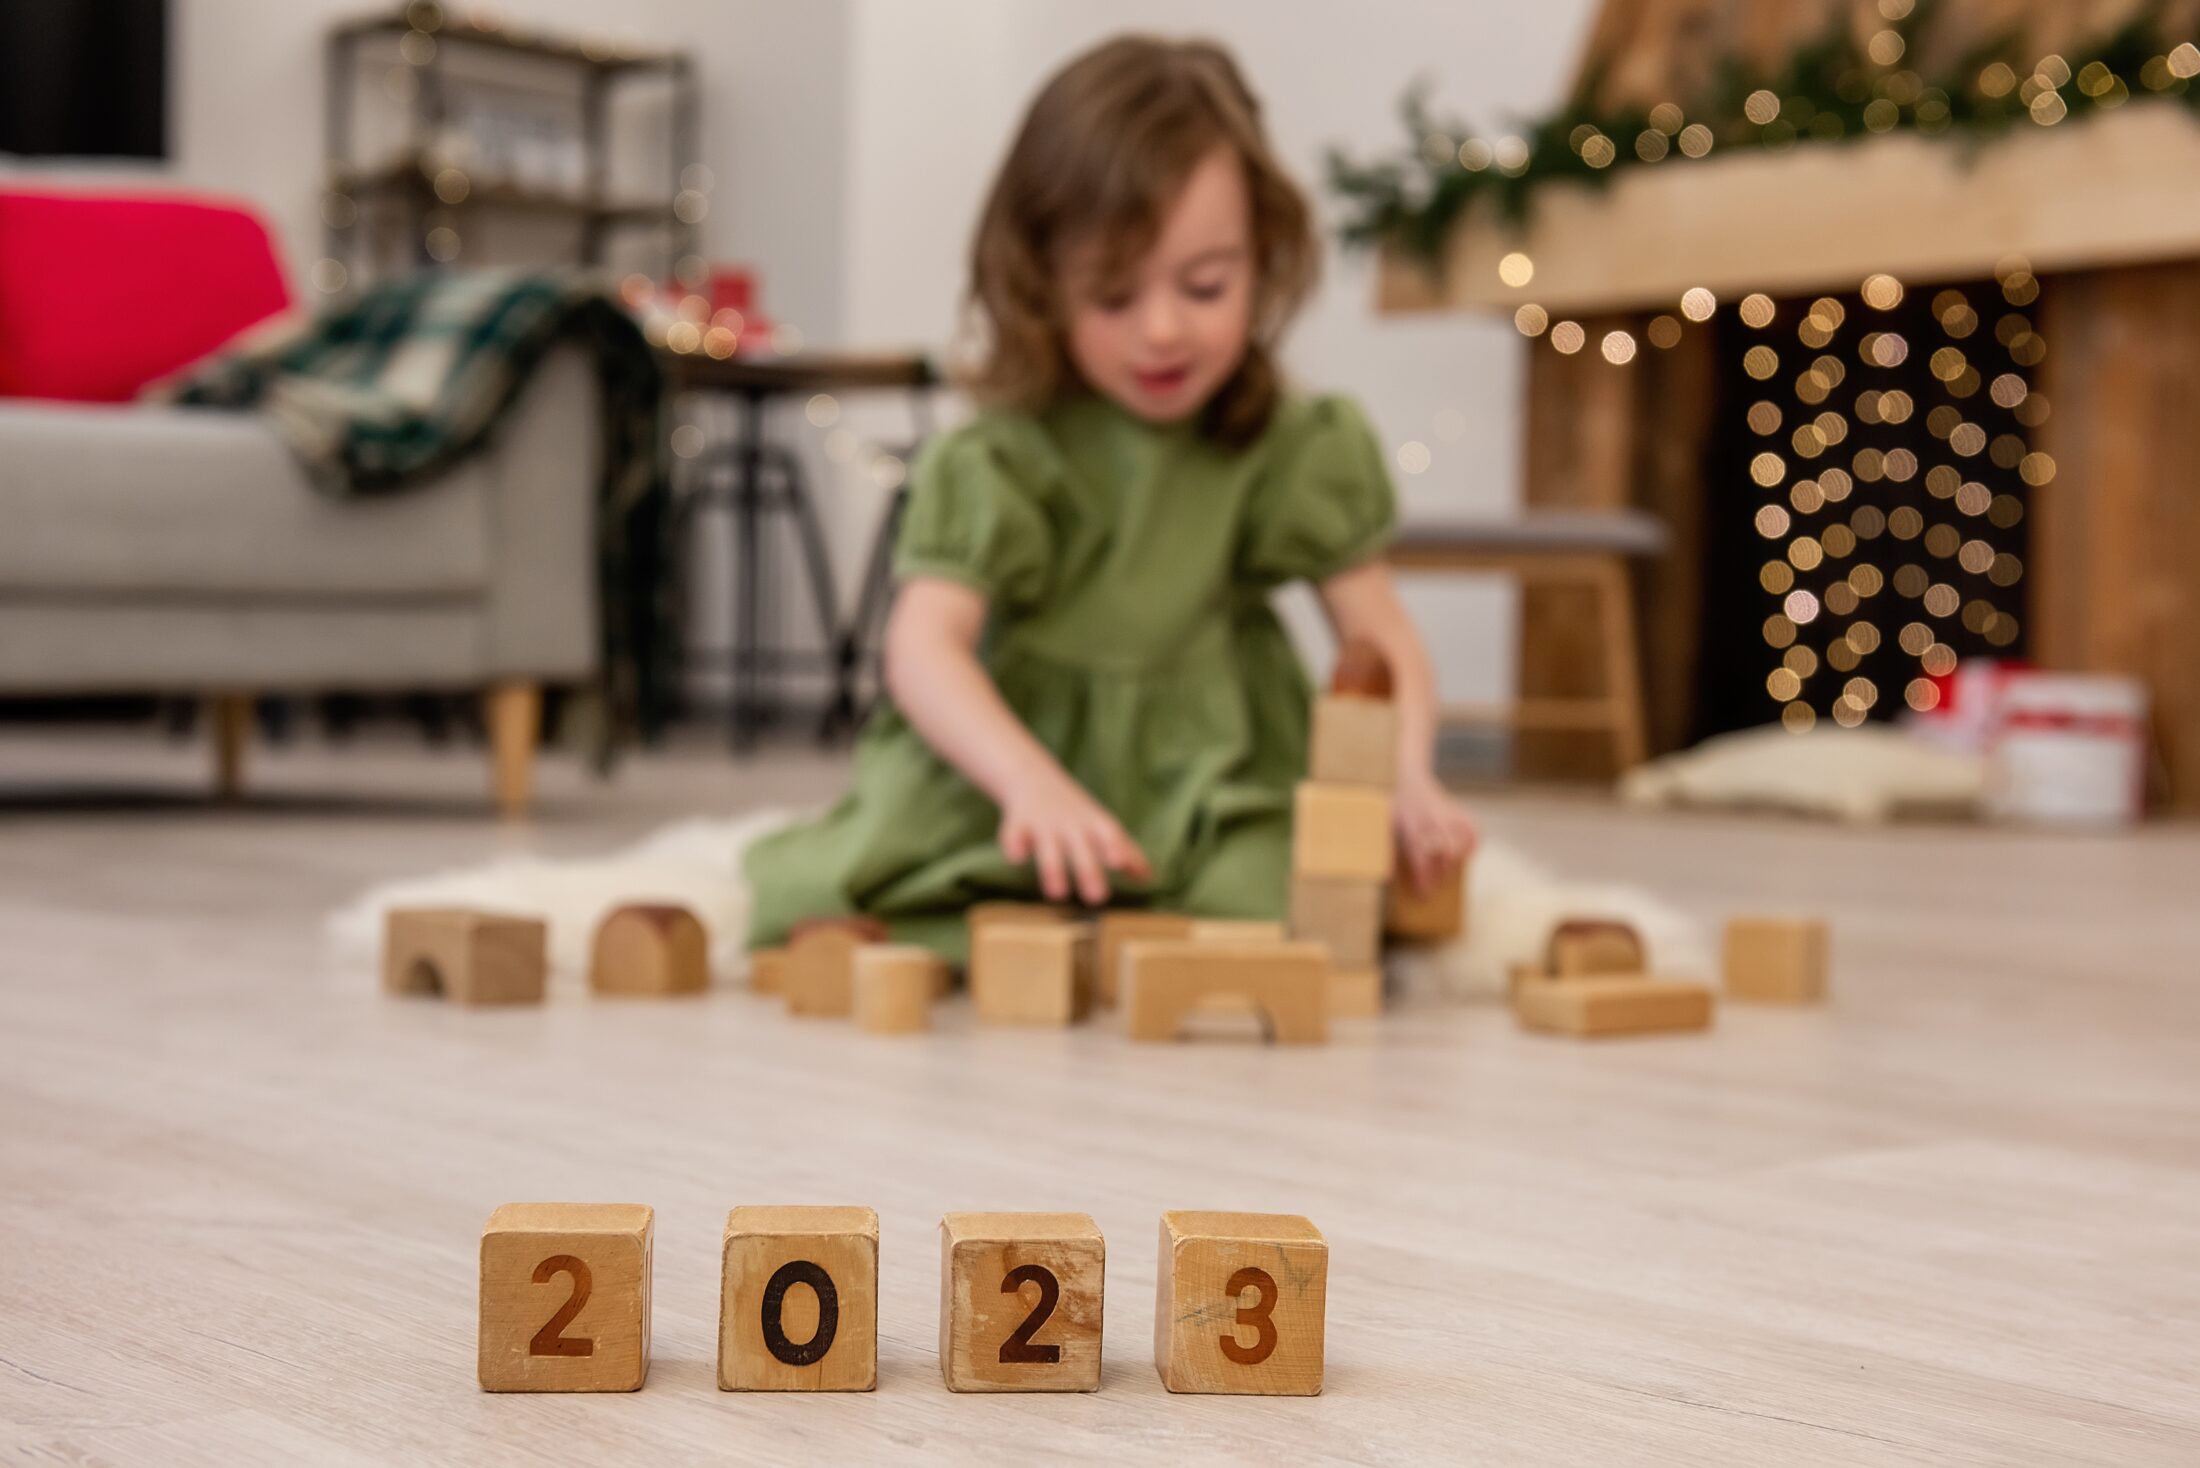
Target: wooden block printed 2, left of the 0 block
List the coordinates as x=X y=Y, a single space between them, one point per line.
x=566 y=1297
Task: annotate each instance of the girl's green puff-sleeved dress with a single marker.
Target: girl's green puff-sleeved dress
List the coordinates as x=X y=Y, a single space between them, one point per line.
x=1127 y=573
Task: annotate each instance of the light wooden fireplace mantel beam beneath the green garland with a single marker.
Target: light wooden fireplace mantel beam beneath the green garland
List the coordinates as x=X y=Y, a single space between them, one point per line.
x=2111 y=190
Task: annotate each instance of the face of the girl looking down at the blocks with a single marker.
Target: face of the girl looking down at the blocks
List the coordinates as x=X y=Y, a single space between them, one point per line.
x=1165 y=338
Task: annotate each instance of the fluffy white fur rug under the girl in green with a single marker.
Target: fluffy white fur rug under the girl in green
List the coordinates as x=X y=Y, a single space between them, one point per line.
x=1512 y=908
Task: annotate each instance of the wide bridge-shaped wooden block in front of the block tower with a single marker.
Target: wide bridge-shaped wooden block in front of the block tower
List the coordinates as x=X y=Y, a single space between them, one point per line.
x=1288 y=983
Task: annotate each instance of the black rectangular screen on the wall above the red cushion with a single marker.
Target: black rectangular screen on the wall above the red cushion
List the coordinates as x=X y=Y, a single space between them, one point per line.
x=85 y=78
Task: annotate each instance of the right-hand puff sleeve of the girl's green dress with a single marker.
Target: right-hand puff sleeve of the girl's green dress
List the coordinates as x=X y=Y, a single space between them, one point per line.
x=1325 y=501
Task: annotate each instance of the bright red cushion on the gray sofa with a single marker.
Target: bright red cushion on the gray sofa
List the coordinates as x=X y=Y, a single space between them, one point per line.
x=107 y=294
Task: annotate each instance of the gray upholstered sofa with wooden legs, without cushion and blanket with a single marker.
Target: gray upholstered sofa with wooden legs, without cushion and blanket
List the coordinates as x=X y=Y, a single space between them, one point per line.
x=159 y=549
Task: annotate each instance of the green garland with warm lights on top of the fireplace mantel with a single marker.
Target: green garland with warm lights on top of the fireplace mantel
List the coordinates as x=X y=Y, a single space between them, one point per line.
x=1829 y=91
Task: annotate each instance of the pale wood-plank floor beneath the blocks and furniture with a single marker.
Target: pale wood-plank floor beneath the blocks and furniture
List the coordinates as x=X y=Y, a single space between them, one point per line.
x=1955 y=1216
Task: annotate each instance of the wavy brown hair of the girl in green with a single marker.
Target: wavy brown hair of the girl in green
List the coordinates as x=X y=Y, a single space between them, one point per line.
x=1103 y=153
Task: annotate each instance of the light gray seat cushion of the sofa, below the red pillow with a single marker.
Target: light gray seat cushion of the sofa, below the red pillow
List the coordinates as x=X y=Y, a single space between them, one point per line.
x=173 y=501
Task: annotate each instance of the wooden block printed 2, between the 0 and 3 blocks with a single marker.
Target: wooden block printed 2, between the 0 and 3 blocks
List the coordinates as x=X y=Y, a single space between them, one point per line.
x=1020 y=1302
